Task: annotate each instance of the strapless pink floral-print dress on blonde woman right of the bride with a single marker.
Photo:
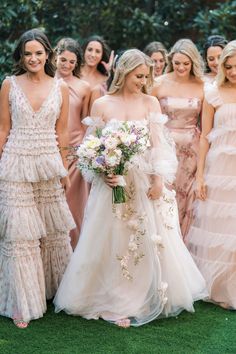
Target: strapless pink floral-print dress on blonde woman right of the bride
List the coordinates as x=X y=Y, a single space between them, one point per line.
x=183 y=114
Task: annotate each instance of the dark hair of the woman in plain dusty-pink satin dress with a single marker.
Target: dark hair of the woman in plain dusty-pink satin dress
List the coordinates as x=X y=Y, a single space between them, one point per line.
x=74 y=47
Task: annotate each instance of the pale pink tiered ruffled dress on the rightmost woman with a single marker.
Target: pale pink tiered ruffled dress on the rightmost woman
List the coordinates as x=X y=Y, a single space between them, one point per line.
x=212 y=237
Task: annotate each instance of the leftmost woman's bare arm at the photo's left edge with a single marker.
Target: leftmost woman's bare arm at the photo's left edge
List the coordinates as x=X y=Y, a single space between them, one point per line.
x=5 y=118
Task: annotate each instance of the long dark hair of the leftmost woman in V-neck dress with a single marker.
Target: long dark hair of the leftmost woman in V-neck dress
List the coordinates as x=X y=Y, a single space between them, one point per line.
x=18 y=54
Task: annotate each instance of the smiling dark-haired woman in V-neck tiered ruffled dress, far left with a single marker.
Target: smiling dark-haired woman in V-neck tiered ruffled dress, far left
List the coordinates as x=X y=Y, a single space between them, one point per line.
x=34 y=217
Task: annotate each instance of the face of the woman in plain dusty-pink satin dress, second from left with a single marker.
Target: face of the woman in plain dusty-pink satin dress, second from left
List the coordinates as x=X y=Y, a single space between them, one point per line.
x=66 y=62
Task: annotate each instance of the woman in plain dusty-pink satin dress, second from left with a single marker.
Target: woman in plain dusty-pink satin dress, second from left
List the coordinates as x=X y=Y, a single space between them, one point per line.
x=68 y=62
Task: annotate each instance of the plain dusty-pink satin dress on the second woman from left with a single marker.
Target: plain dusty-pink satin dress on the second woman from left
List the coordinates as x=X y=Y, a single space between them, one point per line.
x=77 y=194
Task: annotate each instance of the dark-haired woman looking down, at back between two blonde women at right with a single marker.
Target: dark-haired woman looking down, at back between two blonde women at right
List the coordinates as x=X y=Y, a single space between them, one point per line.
x=212 y=51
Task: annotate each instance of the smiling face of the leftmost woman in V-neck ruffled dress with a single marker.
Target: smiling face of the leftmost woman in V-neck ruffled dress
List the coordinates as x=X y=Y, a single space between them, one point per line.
x=34 y=56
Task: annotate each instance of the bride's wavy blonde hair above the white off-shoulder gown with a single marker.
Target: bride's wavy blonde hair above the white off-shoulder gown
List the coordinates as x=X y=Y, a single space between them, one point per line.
x=129 y=61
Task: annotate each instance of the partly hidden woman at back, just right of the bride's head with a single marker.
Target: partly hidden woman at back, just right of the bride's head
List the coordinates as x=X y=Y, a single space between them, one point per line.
x=157 y=52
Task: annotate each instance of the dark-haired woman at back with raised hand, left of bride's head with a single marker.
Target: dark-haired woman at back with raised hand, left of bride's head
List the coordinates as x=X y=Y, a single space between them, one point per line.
x=96 y=61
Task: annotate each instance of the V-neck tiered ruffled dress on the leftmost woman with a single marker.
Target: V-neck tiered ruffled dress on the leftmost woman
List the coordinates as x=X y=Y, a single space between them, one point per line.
x=34 y=217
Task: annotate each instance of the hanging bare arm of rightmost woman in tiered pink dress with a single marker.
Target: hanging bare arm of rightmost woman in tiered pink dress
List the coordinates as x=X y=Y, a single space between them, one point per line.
x=208 y=112
